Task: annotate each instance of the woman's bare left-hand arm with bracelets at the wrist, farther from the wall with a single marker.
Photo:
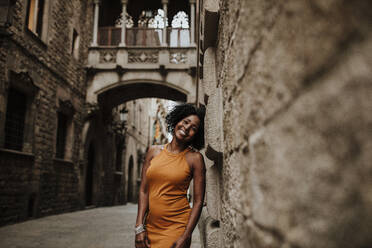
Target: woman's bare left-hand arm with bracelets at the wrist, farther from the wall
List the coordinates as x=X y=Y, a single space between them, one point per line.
x=143 y=200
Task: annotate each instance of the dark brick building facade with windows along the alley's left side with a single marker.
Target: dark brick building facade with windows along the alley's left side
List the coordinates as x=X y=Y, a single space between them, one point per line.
x=43 y=47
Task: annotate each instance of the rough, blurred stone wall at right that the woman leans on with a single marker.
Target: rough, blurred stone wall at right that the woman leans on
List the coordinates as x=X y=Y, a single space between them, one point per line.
x=294 y=78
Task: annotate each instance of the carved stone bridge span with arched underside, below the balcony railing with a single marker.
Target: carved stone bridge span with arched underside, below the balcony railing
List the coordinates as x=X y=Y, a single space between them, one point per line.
x=121 y=74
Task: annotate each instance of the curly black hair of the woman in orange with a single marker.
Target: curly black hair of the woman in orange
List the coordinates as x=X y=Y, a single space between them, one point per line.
x=181 y=111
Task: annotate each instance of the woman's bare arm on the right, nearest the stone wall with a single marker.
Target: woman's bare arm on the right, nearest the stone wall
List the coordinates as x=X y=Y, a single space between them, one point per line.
x=198 y=169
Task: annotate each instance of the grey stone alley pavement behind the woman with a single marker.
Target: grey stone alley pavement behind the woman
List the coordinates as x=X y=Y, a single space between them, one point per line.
x=109 y=227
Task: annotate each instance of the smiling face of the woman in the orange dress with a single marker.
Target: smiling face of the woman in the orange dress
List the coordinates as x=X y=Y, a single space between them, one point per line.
x=186 y=129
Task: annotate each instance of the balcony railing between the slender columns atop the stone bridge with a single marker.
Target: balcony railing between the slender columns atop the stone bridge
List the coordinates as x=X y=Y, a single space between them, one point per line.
x=144 y=37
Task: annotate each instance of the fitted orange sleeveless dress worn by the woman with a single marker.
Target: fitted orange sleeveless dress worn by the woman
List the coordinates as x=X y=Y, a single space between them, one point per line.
x=168 y=179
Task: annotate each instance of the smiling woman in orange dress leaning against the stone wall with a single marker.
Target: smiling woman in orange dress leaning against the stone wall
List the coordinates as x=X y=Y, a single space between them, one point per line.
x=166 y=177
